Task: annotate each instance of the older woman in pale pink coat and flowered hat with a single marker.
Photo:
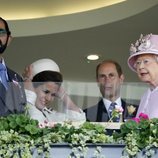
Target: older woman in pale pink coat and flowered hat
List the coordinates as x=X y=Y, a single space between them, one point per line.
x=144 y=61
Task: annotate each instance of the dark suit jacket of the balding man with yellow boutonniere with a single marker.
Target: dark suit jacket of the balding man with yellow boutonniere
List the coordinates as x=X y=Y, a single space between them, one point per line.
x=98 y=112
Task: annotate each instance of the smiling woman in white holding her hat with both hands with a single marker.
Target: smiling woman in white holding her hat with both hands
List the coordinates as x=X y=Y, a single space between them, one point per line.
x=42 y=84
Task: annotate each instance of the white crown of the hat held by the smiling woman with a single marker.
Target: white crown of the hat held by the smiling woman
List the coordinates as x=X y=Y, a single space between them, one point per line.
x=44 y=65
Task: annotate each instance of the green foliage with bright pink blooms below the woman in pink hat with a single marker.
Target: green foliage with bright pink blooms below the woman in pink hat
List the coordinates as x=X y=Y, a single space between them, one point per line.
x=139 y=134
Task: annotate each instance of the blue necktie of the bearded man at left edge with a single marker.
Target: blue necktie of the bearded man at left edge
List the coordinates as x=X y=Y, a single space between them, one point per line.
x=3 y=76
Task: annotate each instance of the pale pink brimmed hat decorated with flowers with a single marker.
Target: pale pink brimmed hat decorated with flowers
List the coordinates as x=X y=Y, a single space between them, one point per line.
x=147 y=44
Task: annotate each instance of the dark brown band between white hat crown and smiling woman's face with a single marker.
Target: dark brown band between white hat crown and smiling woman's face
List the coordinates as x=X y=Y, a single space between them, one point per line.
x=47 y=76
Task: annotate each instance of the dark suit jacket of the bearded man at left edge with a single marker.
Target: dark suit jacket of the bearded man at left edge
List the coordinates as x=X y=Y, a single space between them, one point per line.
x=12 y=100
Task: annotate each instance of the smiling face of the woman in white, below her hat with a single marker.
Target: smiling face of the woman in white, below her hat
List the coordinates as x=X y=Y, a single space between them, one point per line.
x=46 y=94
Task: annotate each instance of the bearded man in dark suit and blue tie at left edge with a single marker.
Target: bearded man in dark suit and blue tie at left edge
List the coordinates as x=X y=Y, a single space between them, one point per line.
x=12 y=96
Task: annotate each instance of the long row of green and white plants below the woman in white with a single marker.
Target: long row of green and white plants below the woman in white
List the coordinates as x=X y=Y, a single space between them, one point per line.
x=20 y=136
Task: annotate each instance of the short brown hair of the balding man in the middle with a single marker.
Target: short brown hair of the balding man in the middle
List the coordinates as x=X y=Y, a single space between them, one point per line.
x=117 y=65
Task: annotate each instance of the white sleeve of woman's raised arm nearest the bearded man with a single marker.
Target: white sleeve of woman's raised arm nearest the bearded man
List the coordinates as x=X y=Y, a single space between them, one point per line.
x=30 y=96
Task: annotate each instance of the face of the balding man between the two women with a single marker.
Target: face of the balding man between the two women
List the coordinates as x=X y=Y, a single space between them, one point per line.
x=109 y=81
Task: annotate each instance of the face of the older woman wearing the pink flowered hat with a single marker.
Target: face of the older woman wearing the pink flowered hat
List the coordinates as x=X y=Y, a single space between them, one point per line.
x=147 y=69
